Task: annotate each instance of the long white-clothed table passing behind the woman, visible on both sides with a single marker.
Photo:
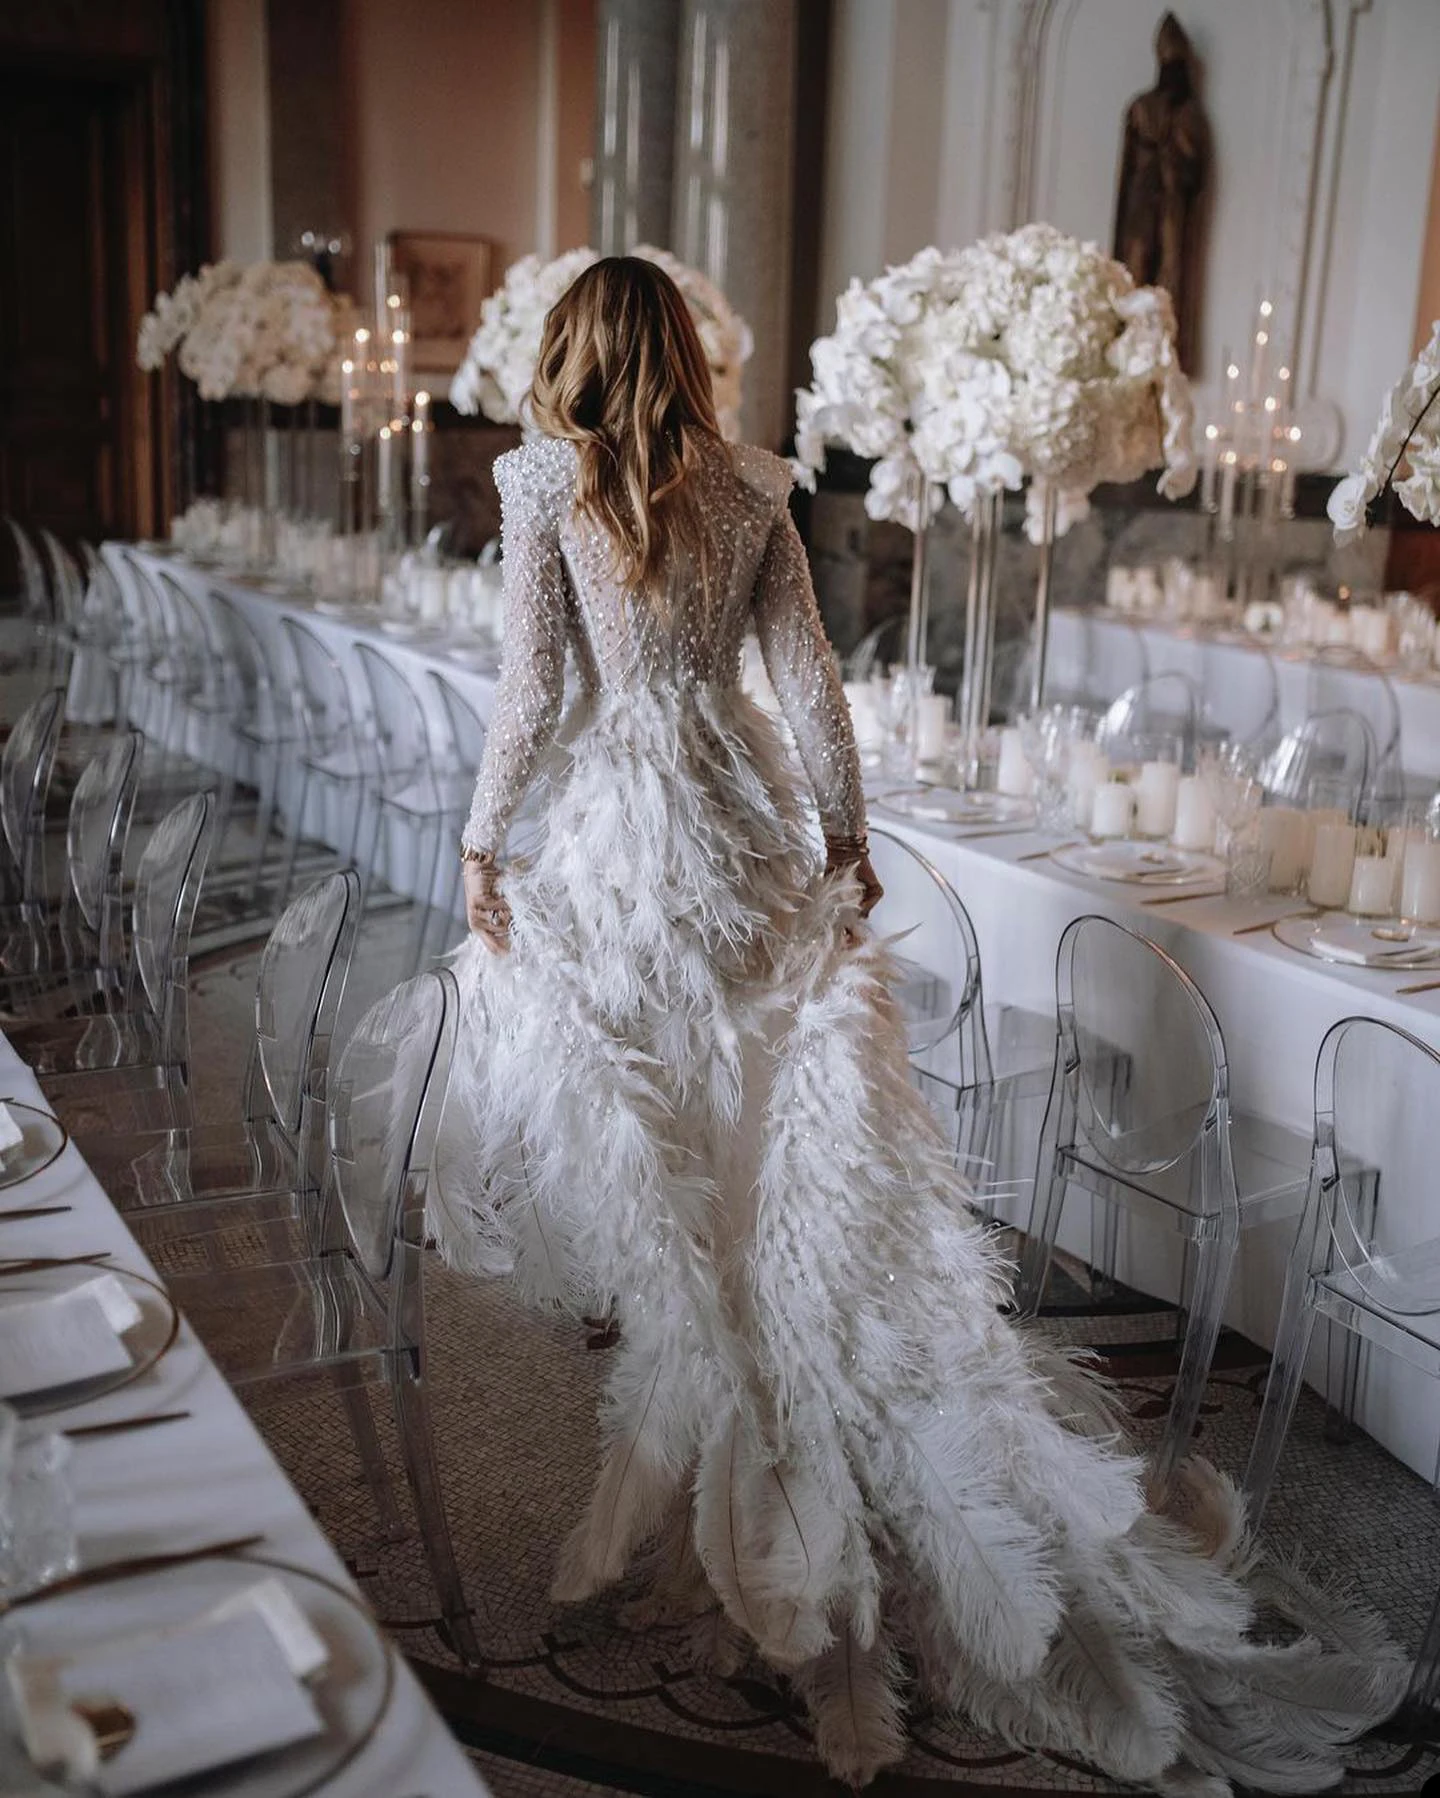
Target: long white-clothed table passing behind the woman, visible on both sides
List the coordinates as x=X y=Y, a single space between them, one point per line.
x=1272 y=1002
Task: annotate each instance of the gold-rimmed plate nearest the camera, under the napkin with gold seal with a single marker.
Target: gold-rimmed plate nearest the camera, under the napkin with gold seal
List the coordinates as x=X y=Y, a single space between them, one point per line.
x=351 y=1693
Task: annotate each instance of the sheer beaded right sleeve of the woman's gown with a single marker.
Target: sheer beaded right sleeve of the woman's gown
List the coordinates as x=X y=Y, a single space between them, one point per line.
x=803 y=672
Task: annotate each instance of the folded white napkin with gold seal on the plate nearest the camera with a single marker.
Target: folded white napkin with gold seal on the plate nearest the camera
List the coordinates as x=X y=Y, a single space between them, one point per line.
x=204 y=1695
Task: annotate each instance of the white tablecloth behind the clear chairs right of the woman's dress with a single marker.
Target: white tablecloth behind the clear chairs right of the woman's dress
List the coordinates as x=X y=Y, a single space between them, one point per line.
x=1274 y=1008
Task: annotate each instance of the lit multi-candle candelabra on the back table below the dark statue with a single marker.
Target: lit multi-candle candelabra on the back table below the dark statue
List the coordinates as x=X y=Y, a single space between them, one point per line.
x=1250 y=463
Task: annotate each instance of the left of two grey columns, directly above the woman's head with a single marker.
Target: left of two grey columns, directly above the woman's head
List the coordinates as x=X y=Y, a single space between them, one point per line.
x=637 y=44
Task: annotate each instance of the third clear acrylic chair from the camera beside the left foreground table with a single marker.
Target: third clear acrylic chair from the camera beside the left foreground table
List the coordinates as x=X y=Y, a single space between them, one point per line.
x=139 y=1024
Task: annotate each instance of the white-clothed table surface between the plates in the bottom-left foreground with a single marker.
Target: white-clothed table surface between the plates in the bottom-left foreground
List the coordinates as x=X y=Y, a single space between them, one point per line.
x=204 y=1479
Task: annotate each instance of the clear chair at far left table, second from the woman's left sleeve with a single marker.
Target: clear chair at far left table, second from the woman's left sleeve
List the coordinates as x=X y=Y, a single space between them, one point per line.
x=409 y=792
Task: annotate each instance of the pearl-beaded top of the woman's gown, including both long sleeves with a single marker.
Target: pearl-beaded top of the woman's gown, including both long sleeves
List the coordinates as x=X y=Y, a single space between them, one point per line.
x=562 y=594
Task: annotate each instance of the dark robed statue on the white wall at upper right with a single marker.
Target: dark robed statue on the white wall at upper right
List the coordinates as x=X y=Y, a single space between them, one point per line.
x=1164 y=170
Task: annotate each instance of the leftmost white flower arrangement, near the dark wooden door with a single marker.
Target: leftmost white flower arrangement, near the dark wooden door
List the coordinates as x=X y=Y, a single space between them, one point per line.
x=267 y=330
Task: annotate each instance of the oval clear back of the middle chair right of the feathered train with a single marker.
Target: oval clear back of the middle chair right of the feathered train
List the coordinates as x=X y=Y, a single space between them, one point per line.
x=1146 y=1047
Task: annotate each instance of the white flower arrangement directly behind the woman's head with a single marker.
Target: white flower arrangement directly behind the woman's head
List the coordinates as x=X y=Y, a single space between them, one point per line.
x=501 y=362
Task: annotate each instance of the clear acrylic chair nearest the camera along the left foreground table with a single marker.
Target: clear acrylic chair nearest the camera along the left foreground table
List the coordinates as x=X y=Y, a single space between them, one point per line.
x=355 y=1310
